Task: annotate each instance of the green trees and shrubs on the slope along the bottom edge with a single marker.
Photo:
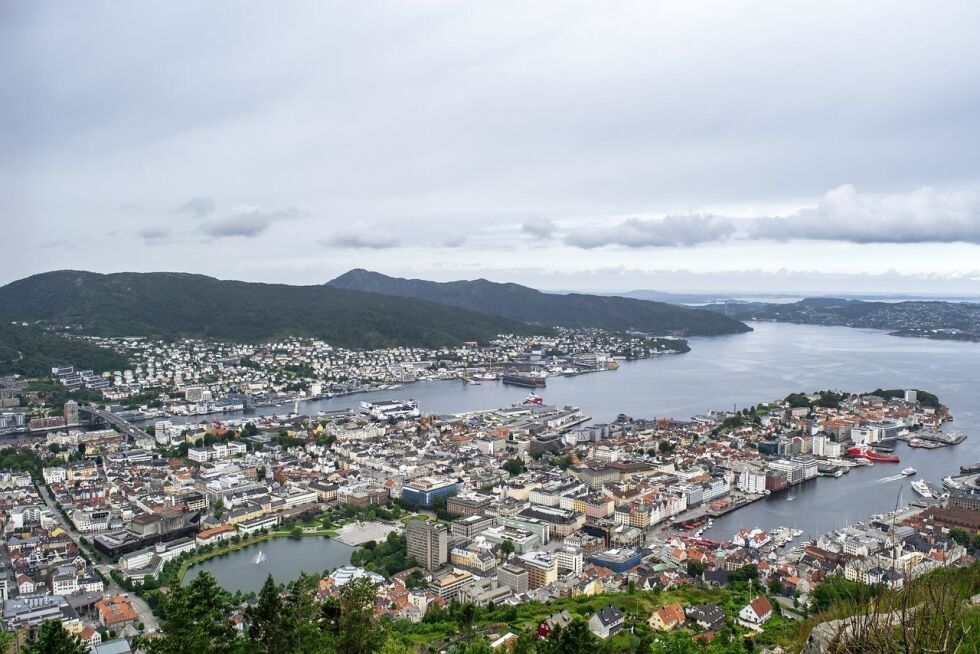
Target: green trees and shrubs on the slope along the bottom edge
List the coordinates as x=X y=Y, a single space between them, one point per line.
x=934 y=615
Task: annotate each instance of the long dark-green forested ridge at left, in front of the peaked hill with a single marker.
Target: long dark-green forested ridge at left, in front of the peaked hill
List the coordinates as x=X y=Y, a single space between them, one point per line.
x=183 y=305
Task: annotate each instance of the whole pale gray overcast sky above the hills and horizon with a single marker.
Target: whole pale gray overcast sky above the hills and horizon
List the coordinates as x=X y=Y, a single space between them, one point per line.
x=606 y=146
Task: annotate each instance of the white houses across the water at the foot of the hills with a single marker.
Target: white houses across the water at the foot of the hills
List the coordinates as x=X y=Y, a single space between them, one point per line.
x=195 y=377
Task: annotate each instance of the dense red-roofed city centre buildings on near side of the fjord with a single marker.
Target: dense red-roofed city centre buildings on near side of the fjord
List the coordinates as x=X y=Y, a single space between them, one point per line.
x=516 y=503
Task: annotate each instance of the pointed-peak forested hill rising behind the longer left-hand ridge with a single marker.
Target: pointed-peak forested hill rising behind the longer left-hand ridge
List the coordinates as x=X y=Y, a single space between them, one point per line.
x=575 y=310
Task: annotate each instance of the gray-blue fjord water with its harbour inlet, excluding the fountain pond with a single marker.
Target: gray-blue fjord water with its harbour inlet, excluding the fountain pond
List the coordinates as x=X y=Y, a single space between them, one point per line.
x=744 y=369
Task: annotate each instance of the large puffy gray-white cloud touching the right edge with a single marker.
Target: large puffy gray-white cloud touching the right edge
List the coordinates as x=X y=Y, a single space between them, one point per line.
x=844 y=214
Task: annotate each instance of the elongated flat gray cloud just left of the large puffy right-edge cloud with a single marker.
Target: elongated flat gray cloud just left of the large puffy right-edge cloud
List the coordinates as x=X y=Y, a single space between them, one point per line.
x=671 y=231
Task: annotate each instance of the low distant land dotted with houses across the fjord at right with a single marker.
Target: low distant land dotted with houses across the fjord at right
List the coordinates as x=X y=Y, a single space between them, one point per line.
x=922 y=319
